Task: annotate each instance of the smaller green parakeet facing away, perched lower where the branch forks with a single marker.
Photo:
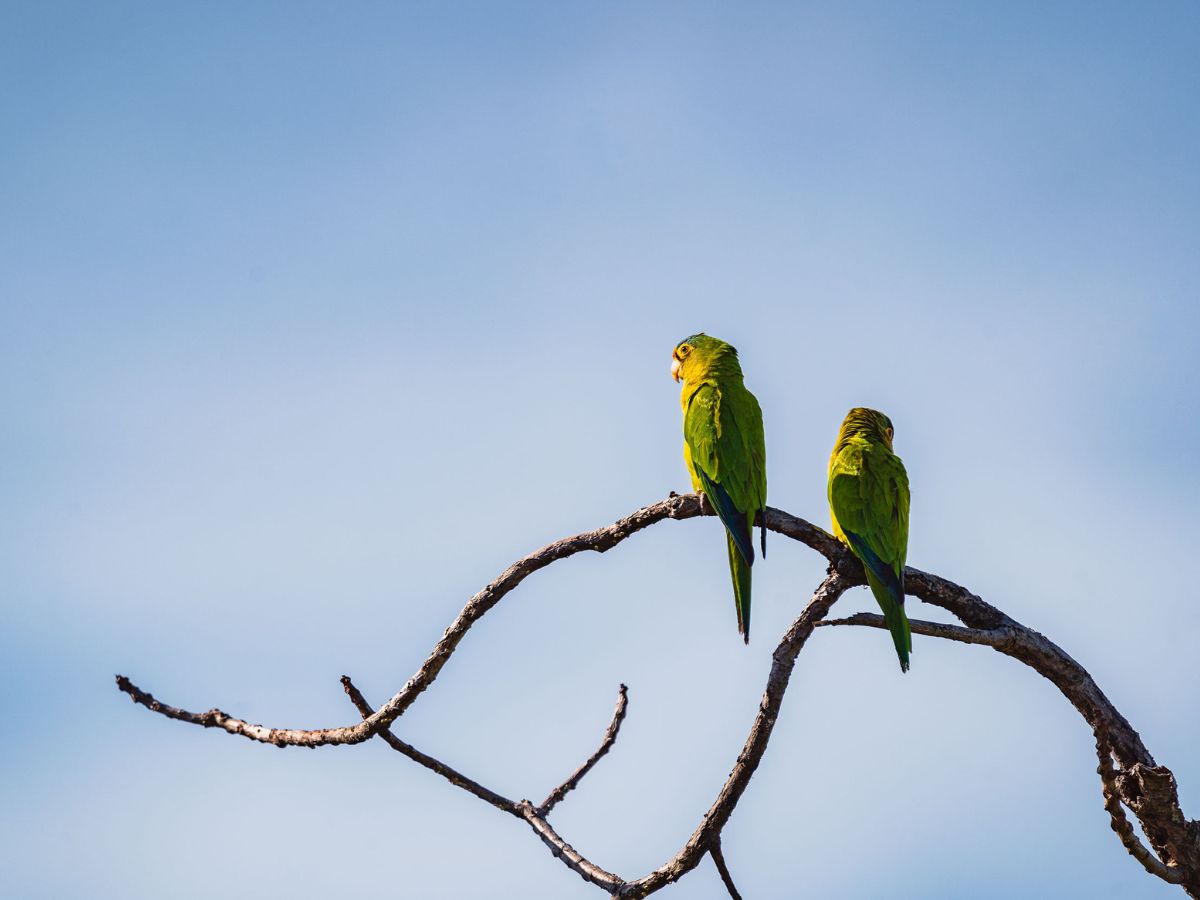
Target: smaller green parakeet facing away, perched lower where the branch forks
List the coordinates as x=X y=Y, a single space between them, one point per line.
x=869 y=503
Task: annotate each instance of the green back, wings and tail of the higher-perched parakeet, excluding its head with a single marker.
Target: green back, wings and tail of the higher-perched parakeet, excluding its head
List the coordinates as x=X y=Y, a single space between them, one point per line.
x=723 y=429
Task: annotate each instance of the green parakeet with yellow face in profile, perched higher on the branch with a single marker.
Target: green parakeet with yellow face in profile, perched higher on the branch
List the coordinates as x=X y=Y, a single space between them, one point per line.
x=725 y=451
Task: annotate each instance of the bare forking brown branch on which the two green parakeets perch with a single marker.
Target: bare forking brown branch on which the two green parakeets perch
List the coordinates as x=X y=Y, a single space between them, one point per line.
x=1139 y=784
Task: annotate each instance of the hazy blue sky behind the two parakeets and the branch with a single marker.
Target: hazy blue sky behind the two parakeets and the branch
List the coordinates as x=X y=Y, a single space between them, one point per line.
x=316 y=316
